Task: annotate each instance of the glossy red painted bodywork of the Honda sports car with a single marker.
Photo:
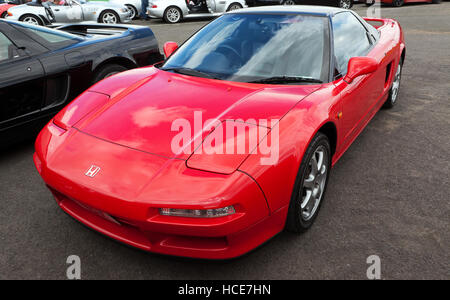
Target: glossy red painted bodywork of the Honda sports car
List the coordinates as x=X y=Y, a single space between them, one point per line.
x=123 y=125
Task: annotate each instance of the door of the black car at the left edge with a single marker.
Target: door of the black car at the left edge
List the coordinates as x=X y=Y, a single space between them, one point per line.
x=22 y=84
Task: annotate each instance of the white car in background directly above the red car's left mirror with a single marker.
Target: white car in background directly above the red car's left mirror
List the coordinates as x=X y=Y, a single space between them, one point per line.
x=173 y=11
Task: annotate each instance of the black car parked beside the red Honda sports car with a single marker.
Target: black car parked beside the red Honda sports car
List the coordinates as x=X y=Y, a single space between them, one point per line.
x=42 y=69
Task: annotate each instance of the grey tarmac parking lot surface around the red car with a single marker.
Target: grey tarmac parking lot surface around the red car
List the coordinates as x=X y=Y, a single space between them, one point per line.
x=387 y=196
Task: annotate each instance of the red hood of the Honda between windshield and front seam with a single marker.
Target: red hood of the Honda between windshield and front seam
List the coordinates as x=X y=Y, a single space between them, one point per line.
x=143 y=116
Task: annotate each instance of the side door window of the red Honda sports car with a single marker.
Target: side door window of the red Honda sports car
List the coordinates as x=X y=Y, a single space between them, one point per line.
x=350 y=39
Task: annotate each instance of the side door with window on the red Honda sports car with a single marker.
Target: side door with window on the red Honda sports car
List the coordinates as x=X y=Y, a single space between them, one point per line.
x=351 y=39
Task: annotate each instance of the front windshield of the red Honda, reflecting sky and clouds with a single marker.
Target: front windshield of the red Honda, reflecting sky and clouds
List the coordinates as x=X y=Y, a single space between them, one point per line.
x=278 y=48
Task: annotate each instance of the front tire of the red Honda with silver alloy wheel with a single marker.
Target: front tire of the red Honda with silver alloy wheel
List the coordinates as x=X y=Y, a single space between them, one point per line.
x=298 y=220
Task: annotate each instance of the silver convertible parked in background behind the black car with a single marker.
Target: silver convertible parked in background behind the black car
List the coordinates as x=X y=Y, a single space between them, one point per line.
x=70 y=11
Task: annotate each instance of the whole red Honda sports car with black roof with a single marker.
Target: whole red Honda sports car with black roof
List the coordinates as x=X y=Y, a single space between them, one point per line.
x=231 y=139
